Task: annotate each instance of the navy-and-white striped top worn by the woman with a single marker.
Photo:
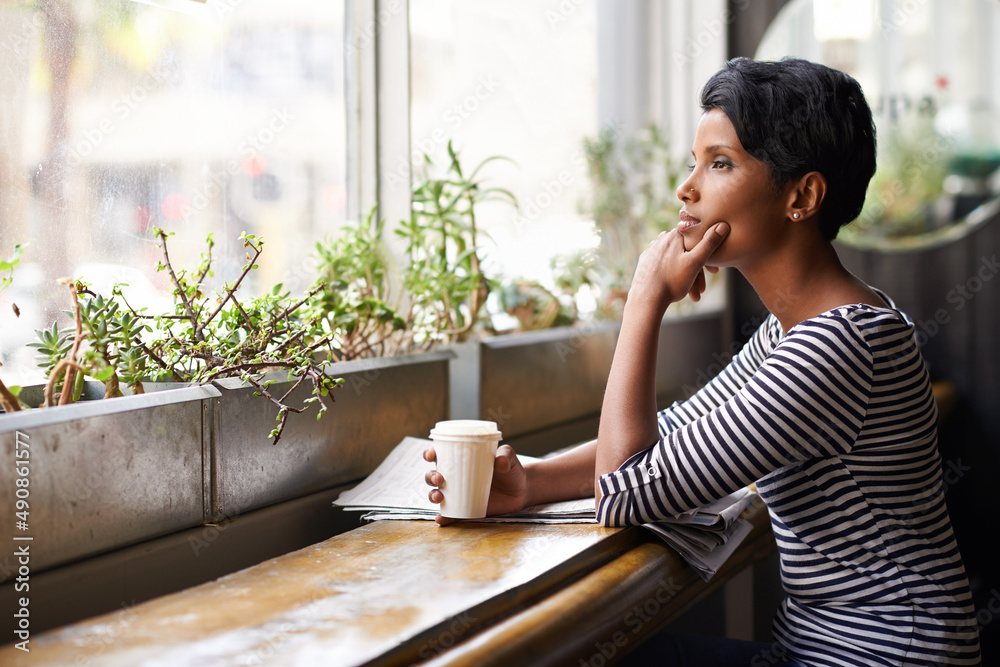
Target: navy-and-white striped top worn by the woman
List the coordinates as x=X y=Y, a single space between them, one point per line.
x=836 y=423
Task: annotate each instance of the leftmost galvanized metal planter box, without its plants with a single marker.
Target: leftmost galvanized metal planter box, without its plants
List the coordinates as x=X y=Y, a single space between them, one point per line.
x=108 y=473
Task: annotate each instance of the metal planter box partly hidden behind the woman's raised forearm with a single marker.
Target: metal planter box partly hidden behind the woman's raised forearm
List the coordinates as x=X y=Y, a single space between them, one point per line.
x=531 y=381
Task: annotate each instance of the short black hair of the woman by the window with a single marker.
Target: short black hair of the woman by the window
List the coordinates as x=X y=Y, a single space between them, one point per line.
x=797 y=116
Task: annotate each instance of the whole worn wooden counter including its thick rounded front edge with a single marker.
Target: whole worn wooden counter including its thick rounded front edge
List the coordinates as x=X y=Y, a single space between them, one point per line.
x=404 y=592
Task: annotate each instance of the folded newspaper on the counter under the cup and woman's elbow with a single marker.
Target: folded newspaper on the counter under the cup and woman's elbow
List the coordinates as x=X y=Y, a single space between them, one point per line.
x=704 y=537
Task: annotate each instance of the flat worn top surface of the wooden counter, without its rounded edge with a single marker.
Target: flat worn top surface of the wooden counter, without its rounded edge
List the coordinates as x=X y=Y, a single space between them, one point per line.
x=395 y=592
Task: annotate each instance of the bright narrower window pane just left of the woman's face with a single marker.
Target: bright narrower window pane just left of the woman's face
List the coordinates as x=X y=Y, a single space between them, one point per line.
x=516 y=78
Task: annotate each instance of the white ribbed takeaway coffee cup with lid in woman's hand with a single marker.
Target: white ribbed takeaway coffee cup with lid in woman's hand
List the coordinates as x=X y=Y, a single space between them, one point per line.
x=465 y=450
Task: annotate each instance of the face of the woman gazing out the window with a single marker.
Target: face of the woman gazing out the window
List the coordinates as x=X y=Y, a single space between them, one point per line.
x=727 y=184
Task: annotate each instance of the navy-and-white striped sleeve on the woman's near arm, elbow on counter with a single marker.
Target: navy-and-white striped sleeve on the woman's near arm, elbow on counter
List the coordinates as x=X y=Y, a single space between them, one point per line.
x=807 y=400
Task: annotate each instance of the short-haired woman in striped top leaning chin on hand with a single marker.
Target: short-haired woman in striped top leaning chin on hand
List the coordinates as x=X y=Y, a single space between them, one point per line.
x=828 y=407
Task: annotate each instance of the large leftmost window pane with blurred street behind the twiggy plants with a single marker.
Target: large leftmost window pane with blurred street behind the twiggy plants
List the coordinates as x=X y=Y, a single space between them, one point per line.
x=118 y=116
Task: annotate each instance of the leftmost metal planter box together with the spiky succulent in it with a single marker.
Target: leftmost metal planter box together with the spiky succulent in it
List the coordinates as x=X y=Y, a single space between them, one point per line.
x=81 y=459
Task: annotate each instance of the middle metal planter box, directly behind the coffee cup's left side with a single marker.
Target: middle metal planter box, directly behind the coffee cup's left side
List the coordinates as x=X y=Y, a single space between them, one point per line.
x=382 y=401
